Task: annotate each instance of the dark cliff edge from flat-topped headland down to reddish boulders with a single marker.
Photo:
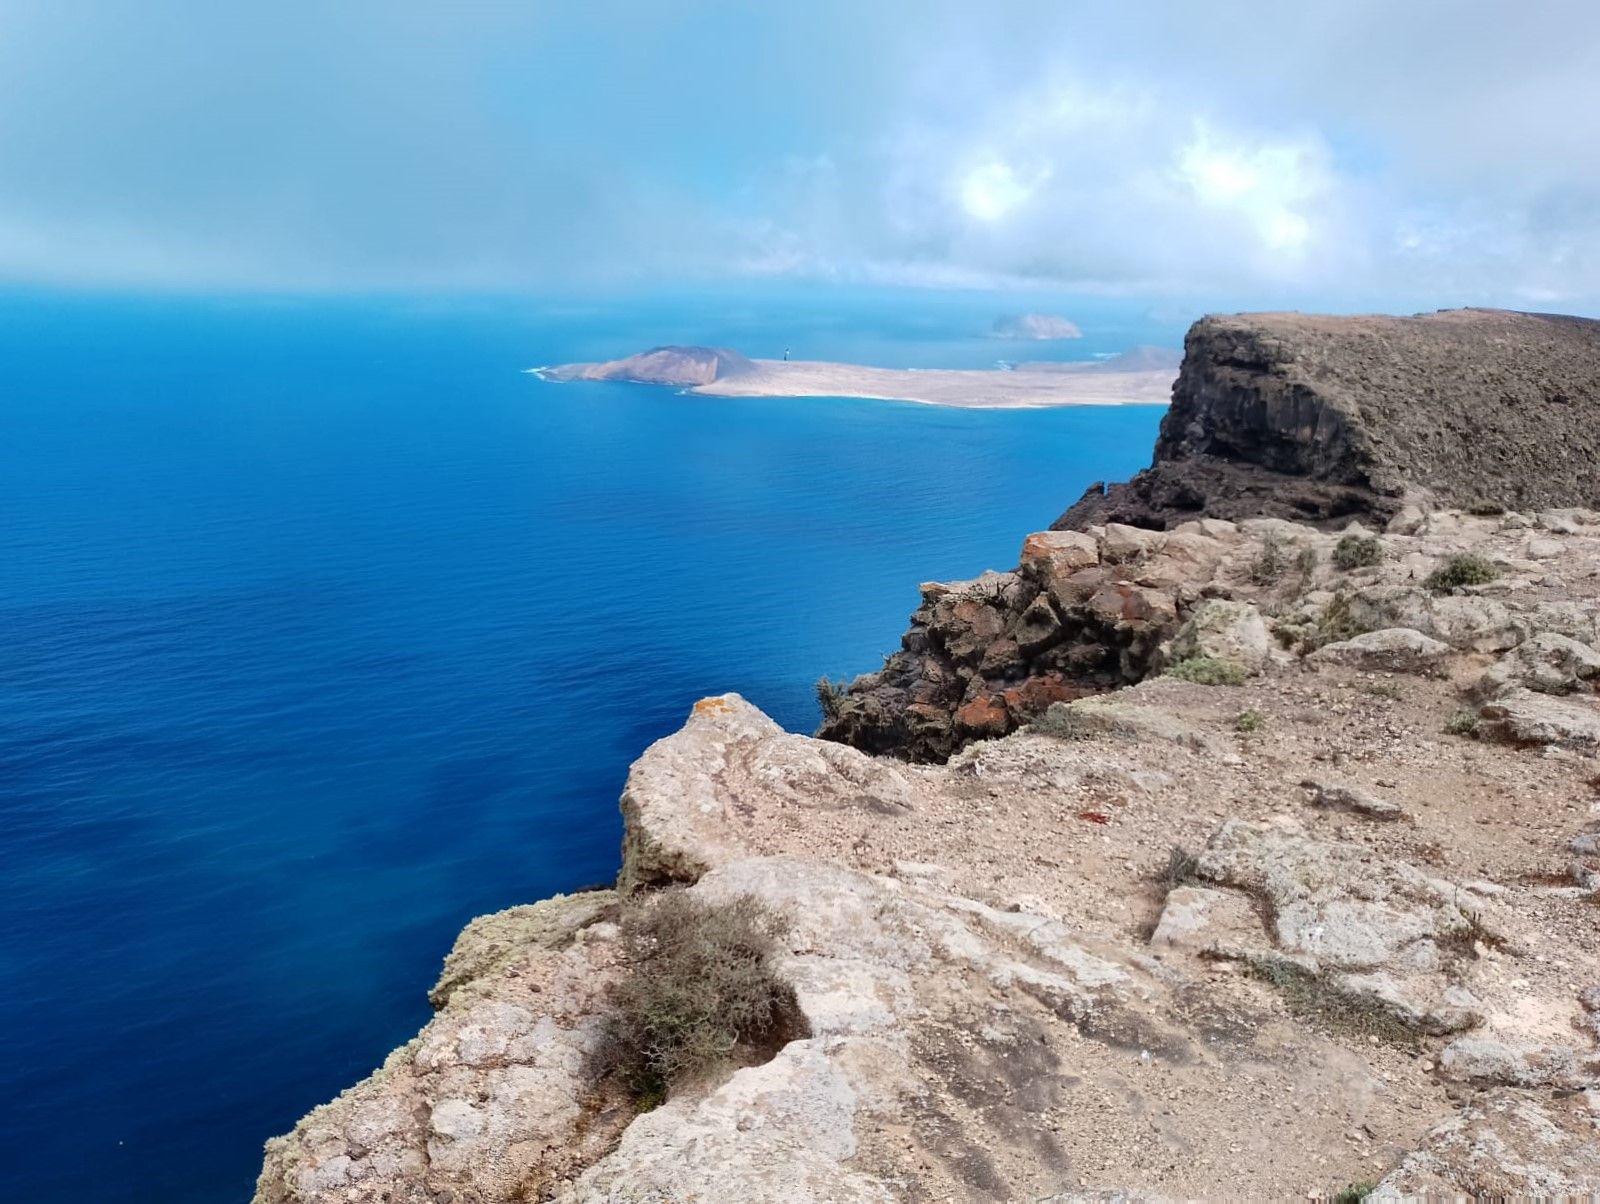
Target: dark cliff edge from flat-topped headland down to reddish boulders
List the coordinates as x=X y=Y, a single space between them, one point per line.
x=1274 y=415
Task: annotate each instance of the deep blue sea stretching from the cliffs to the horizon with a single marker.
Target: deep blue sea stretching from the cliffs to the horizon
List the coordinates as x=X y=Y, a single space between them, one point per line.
x=326 y=630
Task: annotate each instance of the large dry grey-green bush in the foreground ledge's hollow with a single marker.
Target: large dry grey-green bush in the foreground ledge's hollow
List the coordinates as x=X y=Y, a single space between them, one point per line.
x=698 y=995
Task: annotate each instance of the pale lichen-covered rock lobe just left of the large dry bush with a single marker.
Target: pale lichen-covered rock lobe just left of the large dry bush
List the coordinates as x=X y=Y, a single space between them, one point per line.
x=490 y=1099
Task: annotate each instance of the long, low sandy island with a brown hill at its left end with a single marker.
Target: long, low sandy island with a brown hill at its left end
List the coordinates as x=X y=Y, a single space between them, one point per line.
x=1140 y=377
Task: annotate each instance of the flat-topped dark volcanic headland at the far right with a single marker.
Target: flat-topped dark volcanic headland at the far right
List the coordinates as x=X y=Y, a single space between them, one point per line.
x=1322 y=419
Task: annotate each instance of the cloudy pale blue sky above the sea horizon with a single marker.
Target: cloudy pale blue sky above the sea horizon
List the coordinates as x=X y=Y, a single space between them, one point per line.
x=1386 y=153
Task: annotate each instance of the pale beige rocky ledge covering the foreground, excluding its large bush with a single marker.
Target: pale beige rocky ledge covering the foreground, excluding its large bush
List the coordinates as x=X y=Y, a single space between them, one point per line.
x=1316 y=910
